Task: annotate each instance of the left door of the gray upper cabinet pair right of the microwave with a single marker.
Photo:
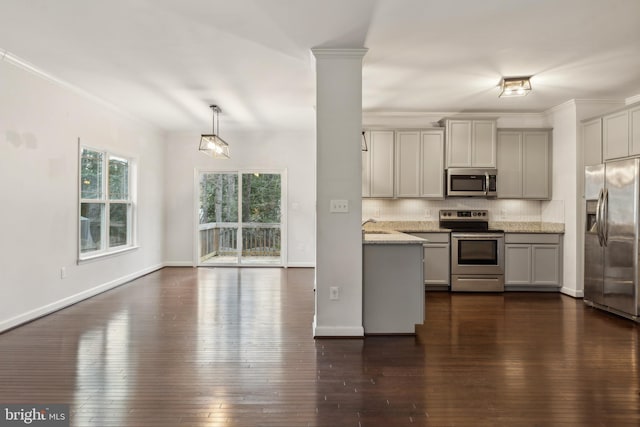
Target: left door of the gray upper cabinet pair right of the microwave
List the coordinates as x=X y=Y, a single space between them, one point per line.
x=510 y=165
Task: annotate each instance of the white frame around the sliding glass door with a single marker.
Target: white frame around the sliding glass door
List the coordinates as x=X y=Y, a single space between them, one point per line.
x=283 y=214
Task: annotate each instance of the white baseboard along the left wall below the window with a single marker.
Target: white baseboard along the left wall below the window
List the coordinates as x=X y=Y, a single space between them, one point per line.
x=73 y=299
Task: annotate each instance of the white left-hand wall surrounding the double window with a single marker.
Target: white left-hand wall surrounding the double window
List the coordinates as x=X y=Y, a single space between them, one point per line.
x=40 y=123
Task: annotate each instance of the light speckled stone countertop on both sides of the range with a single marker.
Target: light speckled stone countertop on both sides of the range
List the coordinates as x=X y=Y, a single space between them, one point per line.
x=434 y=227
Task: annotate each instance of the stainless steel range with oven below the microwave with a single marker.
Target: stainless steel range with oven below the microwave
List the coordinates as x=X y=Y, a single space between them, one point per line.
x=477 y=253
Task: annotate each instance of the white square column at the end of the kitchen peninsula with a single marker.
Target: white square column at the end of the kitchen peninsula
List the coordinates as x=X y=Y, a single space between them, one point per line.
x=338 y=177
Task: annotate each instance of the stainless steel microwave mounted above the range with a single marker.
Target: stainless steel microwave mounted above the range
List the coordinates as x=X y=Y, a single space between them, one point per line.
x=472 y=182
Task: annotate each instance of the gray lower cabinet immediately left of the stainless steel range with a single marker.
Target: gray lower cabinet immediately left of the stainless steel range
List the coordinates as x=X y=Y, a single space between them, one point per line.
x=437 y=255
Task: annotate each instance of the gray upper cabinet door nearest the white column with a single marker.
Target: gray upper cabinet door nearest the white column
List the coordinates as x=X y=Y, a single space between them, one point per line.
x=381 y=147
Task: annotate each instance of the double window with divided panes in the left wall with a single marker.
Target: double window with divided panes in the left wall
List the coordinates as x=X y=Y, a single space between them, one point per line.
x=106 y=203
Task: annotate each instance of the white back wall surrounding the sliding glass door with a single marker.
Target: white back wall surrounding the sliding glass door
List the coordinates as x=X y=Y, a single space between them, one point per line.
x=293 y=151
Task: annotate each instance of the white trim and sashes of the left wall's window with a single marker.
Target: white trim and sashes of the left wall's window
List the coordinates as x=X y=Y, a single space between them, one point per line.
x=132 y=234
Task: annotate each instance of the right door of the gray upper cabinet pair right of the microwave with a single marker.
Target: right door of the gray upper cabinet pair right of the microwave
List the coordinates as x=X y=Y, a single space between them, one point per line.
x=535 y=165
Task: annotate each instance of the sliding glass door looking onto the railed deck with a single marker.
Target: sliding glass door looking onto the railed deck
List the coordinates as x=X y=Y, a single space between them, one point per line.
x=240 y=218
